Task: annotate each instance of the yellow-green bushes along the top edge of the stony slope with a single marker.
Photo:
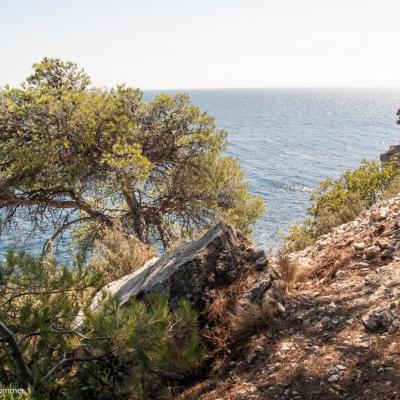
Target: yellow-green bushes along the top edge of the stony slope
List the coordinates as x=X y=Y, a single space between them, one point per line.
x=336 y=202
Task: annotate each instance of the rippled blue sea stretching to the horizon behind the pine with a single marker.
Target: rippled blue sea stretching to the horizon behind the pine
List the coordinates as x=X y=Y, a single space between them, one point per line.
x=287 y=141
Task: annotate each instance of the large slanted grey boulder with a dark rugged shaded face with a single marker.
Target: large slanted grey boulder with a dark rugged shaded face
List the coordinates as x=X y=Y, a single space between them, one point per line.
x=199 y=270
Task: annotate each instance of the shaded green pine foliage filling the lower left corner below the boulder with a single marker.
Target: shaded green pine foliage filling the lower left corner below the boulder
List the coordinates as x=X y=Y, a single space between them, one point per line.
x=119 y=352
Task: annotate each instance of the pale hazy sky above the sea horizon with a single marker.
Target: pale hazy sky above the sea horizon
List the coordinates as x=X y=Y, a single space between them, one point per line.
x=207 y=43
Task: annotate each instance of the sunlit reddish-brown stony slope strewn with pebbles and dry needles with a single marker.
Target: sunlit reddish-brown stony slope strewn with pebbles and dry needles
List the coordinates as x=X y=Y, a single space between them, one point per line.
x=340 y=335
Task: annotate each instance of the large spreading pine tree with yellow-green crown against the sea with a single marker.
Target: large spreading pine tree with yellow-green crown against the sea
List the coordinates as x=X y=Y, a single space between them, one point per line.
x=69 y=148
